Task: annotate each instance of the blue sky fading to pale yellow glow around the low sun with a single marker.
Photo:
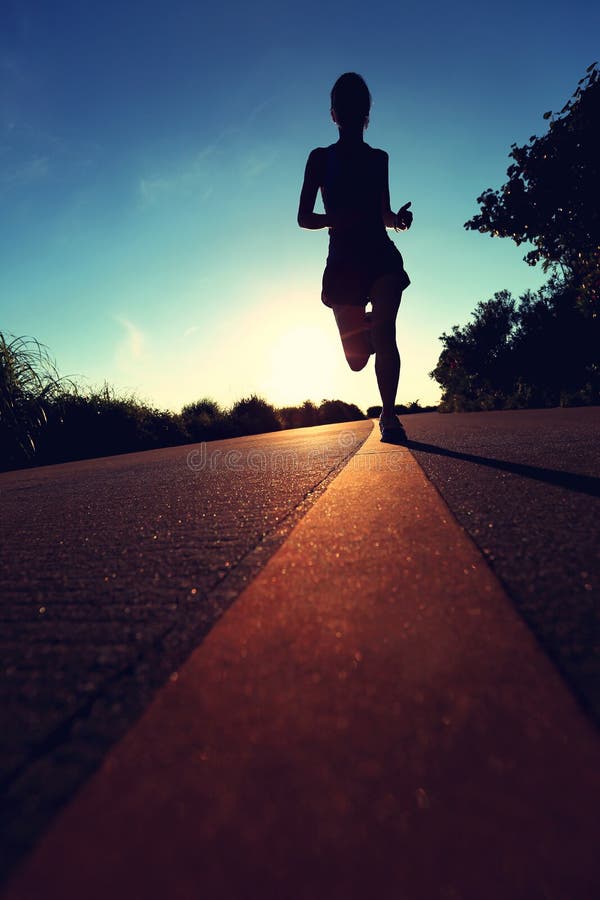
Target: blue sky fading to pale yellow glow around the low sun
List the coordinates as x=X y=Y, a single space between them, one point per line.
x=152 y=153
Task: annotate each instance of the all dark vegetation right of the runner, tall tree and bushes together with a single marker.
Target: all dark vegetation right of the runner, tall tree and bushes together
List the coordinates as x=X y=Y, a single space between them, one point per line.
x=542 y=349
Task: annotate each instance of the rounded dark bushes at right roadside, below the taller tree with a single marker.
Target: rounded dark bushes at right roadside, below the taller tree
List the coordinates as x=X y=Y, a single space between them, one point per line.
x=537 y=351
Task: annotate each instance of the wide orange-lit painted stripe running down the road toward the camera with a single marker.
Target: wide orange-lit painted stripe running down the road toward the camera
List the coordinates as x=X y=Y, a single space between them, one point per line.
x=371 y=718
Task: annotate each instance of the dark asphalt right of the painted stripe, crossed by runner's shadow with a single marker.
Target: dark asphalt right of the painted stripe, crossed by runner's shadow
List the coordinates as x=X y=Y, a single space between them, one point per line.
x=526 y=486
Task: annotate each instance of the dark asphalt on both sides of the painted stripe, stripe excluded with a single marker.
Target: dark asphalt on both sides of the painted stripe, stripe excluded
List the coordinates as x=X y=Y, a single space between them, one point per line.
x=112 y=570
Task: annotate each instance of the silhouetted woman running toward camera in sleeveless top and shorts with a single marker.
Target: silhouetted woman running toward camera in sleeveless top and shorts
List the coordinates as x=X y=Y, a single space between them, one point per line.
x=363 y=263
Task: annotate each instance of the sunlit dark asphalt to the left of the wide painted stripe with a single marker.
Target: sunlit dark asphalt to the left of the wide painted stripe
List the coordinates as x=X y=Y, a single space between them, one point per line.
x=111 y=572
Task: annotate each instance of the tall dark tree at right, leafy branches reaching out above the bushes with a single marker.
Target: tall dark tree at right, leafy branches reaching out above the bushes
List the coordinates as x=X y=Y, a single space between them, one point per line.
x=552 y=196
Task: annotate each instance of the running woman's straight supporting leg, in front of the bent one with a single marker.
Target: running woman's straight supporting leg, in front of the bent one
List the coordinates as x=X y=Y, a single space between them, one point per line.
x=385 y=296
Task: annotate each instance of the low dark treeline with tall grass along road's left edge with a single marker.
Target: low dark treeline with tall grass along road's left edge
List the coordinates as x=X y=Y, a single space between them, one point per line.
x=45 y=418
